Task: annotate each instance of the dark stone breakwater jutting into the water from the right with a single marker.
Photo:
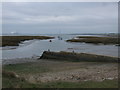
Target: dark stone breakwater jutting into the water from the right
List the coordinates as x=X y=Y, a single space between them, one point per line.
x=71 y=56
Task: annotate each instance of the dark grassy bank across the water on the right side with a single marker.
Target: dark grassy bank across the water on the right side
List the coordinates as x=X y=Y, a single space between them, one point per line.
x=96 y=40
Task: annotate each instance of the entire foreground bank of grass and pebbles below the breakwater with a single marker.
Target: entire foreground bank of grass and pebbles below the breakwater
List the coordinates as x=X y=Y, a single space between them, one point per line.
x=17 y=75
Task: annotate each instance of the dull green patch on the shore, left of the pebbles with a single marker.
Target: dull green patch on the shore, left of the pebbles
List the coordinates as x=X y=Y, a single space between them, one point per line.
x=26 y=68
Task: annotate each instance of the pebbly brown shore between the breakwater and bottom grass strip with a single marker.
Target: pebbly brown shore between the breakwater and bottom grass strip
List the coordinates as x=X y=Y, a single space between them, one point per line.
x=48 y=71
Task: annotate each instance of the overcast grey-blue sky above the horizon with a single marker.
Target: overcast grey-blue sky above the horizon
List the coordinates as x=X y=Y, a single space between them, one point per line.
x=69 y=17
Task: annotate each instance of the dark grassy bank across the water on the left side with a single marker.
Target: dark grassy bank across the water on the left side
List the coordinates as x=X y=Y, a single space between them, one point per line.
x=15 y=40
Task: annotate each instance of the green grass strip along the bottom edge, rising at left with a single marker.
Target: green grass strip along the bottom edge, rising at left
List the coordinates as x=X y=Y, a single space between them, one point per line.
x=9 y=82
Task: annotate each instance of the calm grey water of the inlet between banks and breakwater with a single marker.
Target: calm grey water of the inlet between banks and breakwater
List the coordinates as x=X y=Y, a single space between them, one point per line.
x=33 y=48
